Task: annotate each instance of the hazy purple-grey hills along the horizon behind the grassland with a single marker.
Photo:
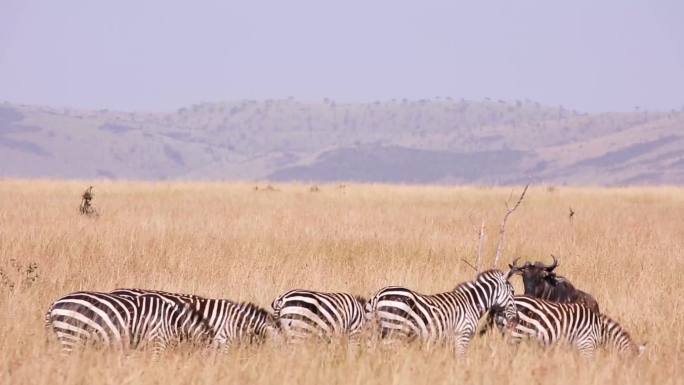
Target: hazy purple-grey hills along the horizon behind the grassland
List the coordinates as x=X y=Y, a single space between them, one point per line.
x=399 y=141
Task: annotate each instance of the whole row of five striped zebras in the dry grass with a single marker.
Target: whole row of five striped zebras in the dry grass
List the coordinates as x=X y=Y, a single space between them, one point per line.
x=134 y=318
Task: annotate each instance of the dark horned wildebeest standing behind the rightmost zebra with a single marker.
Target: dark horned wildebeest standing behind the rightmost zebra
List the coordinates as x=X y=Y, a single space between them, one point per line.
x=541 y=281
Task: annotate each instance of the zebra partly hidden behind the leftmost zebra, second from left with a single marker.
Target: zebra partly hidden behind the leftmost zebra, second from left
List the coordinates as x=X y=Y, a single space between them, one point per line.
x=230 y=322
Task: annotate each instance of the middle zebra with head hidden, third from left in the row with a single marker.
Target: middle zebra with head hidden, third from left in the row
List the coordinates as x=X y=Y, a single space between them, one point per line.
x=304 y=313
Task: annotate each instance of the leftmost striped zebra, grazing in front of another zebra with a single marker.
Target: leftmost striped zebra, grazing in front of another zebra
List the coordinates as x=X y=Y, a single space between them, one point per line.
x=109 y=320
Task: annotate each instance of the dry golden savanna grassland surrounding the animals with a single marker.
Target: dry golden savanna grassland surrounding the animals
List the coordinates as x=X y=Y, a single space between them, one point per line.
x=625 y=246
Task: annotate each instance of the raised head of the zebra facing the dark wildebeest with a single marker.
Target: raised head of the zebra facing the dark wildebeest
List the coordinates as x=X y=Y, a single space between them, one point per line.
x=500 y=293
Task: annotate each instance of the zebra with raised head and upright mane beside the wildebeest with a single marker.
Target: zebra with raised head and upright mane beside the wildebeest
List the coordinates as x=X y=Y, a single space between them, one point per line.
x=452 y=315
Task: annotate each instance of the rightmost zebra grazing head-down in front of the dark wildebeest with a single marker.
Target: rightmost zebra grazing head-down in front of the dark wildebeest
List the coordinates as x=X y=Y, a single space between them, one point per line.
x=550 y=322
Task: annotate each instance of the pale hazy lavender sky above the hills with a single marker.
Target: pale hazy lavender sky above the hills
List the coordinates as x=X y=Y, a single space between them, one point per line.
x=159 y=55
